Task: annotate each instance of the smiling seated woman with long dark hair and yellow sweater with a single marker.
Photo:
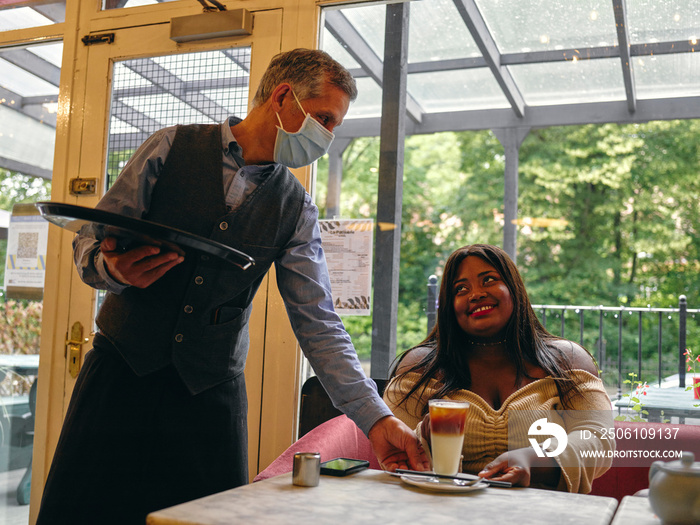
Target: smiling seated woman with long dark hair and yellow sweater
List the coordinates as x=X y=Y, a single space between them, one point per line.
x=488 y=348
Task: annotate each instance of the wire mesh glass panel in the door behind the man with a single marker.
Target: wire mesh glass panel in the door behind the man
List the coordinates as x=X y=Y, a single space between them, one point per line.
x=155 y=92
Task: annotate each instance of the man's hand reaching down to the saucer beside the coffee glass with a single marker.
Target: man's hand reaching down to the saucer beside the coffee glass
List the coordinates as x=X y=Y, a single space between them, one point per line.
x=396 y=445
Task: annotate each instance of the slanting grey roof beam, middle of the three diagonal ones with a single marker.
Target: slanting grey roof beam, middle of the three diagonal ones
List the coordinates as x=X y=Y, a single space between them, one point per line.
x=484 y=40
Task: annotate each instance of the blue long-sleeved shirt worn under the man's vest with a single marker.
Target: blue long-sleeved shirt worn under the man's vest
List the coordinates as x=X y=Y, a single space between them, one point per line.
x=302 y=274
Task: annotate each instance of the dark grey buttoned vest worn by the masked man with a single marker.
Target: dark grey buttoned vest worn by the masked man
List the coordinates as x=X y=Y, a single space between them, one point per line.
x=196 y=316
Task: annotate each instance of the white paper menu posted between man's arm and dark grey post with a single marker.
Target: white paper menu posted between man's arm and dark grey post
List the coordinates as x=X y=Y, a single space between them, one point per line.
x=347 y=244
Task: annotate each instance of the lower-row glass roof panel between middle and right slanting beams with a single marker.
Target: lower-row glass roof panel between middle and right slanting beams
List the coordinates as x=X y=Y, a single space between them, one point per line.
x=570 y=82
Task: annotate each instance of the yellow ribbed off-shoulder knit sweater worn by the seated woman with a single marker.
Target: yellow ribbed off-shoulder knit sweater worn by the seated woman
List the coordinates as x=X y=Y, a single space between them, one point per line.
x=489 y=432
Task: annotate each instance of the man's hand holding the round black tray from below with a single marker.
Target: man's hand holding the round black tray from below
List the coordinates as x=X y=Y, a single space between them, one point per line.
x=139 y=267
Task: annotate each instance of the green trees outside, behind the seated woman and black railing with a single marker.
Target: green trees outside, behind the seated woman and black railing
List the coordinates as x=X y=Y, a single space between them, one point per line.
x=627 y=192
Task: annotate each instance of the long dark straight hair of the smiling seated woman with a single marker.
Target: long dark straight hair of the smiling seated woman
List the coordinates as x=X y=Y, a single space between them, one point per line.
x=526 y=339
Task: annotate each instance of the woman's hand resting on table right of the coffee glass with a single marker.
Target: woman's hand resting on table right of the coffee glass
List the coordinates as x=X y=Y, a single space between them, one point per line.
x=521 y=468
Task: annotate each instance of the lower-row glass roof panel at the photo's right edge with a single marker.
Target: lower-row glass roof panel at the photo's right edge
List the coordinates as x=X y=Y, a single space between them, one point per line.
x=665 y=76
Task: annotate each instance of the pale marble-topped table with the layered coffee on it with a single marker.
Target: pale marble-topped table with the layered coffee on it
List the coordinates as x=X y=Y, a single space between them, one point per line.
x=379 y=498
